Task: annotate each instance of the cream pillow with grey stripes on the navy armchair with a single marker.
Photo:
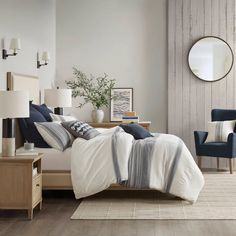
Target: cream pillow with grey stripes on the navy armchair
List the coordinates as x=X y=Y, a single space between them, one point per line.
x=218 y=131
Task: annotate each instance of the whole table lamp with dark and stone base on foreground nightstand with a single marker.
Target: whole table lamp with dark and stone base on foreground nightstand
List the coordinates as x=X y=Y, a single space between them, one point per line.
x=13 y=104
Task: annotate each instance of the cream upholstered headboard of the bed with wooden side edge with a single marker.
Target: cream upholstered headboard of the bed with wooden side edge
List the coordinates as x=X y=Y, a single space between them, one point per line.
x=23 y=82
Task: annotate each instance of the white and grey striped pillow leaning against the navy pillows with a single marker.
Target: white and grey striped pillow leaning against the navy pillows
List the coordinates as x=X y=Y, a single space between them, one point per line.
x=55 y=135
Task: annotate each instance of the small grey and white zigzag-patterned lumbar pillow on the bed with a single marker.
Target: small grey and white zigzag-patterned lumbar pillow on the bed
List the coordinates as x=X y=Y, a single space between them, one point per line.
x=80 y=129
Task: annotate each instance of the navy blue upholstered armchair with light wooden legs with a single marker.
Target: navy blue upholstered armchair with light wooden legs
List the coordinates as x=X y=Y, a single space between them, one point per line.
x=217 y=149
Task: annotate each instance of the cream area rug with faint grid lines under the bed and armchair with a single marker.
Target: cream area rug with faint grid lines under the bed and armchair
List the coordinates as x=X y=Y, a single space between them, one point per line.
x=216 y=201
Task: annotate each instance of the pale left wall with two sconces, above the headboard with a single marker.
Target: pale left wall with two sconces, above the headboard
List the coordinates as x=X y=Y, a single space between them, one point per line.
x=34 y=22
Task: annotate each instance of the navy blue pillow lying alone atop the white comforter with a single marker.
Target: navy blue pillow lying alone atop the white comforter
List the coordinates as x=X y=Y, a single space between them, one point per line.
x=138 y=131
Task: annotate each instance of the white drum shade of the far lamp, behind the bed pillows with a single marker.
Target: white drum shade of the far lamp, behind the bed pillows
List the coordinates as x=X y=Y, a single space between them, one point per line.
x=58 y=97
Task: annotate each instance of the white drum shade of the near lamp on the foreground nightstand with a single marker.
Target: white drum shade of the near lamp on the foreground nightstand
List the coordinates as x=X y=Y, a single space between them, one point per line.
x=14 y=104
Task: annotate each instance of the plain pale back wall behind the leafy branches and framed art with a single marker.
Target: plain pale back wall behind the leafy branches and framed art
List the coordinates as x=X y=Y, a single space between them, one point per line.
x=125 y=39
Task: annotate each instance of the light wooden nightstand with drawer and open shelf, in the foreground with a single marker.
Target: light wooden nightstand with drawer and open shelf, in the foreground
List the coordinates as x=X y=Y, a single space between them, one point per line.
x=20 y=188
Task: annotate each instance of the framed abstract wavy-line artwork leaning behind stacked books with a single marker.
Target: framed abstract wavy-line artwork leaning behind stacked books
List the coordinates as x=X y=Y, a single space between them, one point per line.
x=122 y=101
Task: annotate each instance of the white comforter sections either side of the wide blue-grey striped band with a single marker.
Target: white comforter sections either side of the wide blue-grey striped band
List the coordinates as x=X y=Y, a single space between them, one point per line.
x=93 y=170
